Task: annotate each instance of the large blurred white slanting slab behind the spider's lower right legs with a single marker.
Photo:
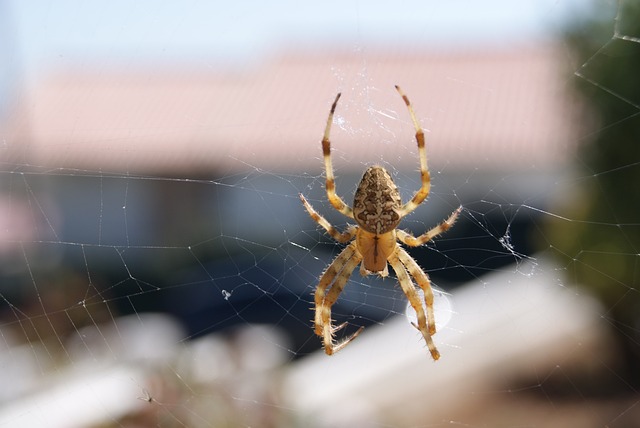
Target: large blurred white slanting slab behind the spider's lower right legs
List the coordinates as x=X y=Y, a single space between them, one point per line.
x=507 y=323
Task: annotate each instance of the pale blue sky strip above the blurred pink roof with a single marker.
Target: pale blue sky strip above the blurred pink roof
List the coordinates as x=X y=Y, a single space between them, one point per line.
x=153 y=30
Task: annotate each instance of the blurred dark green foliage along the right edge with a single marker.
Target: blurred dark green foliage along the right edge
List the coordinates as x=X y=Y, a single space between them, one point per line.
x=600 y=243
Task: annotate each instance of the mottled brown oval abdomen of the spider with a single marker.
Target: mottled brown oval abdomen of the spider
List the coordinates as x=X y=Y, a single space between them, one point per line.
x=377 y=202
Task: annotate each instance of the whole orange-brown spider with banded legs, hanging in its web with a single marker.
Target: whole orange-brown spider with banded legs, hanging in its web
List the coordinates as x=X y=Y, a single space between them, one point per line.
x=377 y=210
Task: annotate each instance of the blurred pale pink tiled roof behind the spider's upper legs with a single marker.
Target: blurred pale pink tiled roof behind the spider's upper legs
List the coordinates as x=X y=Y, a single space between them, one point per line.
x=503 y=109
